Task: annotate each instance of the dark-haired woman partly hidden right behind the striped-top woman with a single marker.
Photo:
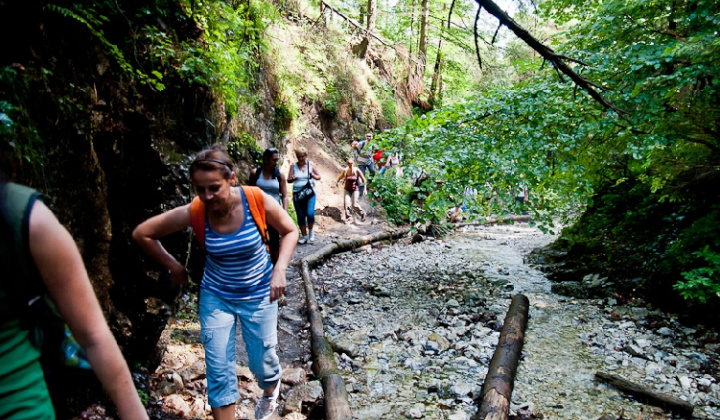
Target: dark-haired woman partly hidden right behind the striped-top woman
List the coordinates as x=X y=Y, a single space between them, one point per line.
x=273 y=183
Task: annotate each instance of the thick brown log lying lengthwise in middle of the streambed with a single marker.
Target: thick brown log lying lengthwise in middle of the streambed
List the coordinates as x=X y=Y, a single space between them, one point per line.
x=498 y=386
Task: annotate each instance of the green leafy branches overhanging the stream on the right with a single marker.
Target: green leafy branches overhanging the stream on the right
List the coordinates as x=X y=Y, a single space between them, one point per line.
x=660 y=65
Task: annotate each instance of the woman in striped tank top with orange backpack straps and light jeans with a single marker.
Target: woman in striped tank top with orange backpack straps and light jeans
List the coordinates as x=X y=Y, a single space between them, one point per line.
x=239 y=281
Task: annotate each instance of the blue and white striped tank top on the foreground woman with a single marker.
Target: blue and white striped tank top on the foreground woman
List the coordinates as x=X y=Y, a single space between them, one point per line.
x=237 y=265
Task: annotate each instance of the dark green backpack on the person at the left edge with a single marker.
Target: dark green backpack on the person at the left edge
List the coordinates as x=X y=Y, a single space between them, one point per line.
x=26 y=292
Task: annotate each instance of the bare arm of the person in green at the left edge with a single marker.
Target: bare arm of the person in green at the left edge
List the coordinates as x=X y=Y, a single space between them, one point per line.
x=63 y=273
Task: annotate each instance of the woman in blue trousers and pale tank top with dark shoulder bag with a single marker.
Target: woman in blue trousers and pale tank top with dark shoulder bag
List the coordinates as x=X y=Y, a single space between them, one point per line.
x=303 y=175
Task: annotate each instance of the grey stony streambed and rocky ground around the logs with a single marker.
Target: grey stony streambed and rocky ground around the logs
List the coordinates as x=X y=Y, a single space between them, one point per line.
x=414 y=327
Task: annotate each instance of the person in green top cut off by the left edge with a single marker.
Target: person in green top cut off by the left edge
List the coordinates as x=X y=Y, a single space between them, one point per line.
x=36 y=248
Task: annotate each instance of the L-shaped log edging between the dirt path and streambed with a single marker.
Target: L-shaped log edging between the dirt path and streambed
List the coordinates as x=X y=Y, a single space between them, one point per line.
x=324 y=366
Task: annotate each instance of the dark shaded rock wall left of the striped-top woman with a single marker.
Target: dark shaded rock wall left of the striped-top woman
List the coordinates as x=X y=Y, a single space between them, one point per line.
x=106 y=151
